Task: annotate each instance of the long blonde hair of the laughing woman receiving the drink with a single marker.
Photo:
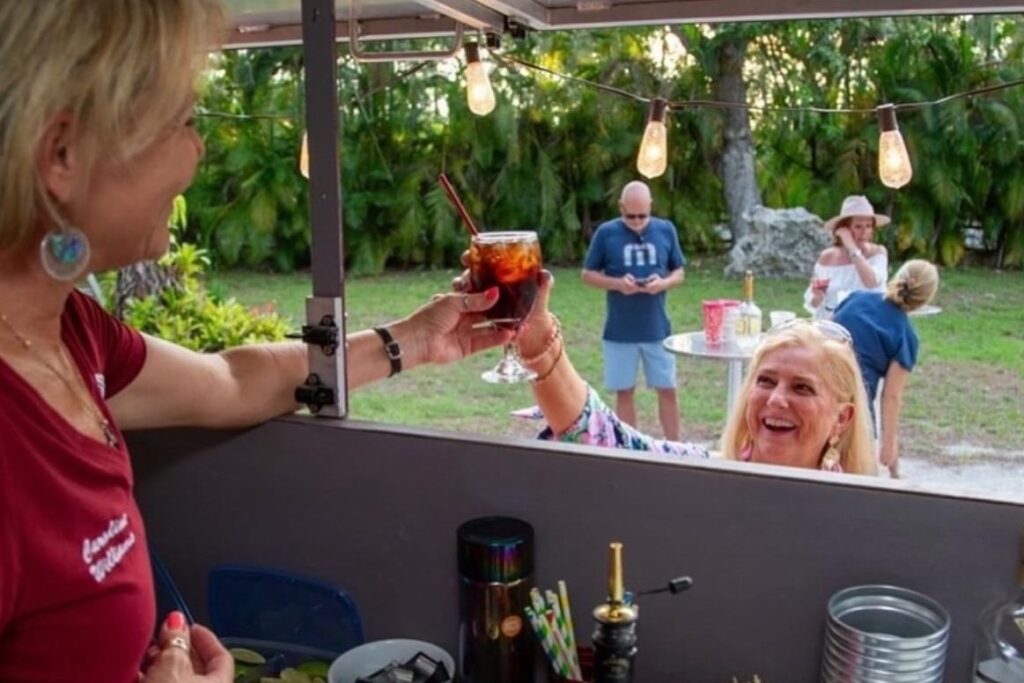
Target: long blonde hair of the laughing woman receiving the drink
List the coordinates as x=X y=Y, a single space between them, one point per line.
x=841 y=375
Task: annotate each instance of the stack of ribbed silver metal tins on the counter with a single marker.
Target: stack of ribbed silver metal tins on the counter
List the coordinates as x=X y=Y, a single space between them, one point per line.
x=884 y=634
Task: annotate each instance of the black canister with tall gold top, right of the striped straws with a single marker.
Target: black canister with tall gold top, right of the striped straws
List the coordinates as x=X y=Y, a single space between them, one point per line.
x=616 y=628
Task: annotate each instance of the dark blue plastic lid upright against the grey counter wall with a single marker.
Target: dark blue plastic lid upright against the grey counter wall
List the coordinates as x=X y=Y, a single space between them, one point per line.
x=265 y=605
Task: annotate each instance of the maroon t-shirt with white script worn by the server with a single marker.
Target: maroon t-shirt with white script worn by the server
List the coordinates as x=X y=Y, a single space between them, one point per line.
x=76 y=589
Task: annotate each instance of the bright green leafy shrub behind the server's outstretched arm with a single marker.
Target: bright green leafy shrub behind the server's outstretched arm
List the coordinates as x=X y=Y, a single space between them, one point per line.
x=189 y=315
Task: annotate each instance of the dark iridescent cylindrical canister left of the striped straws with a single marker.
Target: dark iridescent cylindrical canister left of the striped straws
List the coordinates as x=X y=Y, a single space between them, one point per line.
x=496 y=574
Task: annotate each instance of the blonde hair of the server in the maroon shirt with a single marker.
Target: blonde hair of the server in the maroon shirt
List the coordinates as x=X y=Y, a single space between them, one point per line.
x=122 y=69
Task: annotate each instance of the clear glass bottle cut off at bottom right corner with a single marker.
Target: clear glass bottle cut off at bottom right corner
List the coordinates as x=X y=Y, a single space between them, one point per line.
x=999 y=650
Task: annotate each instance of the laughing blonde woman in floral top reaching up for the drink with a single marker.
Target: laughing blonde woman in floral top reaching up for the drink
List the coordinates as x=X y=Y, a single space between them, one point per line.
x=802 y=406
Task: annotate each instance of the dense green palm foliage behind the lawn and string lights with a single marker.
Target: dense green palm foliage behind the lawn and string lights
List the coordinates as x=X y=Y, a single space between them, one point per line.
x=556 y=152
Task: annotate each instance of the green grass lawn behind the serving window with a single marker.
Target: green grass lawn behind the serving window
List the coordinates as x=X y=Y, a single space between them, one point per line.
x=967 y=389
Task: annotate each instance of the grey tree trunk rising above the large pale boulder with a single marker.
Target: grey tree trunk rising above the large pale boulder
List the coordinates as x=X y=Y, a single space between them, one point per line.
x=738 y=169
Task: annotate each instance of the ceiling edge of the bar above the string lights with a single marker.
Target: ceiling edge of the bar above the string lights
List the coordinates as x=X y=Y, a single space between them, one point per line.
x=269 y=22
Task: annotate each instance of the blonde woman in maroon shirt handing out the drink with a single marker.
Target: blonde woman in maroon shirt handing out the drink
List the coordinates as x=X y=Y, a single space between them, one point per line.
x=97 y=140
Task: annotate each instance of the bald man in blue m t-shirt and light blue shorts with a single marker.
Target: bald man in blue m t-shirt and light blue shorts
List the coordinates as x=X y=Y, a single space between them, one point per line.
x=636 y=260
